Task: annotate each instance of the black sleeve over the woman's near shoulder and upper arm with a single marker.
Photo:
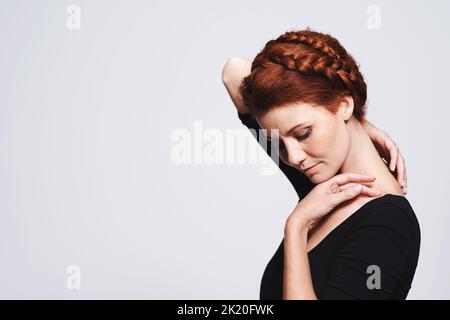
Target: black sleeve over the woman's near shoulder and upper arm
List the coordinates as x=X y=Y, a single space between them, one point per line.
x=385 y=239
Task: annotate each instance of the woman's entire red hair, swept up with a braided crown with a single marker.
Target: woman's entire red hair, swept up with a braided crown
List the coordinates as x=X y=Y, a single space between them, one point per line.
x=303 y=66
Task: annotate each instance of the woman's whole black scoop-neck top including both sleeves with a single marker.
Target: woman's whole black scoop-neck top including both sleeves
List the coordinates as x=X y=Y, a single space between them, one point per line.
x=373 y=254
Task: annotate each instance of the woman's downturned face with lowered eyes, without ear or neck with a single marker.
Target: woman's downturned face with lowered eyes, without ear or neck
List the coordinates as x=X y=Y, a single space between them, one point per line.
x=328 y=143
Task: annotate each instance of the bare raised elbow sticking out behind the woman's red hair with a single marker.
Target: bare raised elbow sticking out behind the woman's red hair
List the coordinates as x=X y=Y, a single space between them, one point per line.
x=233 y=72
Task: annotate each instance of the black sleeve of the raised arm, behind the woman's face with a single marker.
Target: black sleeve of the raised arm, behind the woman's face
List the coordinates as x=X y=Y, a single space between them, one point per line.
x=299 y=181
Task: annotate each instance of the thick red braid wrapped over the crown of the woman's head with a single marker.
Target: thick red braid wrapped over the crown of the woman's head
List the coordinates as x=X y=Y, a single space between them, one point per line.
x=313 y=54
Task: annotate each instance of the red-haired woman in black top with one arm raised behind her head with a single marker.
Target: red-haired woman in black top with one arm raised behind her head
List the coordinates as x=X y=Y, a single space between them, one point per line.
x=353 y=234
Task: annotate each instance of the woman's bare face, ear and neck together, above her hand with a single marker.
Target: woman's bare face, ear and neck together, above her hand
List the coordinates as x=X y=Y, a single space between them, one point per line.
x=337 y=143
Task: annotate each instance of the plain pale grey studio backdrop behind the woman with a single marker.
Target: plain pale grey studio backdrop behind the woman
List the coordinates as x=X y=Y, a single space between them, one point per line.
x=86 y=118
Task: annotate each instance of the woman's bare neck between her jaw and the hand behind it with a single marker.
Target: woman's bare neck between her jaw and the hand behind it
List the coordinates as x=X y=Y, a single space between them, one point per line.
x=363 y=158
